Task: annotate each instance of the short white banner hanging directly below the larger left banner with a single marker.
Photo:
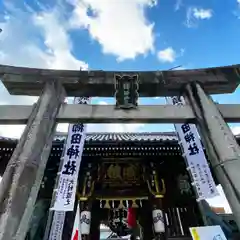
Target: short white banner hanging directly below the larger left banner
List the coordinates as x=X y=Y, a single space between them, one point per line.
x=57 y=226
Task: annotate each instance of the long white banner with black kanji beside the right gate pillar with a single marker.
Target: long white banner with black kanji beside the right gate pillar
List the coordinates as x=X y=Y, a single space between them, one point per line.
x=193 y=152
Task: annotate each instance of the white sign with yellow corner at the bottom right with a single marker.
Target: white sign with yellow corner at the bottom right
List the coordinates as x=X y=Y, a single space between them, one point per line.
x=207 y=233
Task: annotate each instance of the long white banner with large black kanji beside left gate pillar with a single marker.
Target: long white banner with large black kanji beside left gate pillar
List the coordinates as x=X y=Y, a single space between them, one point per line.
x=67 y=185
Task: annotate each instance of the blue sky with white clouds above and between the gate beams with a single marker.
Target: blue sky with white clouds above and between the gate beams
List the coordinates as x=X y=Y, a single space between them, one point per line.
x=118 y=35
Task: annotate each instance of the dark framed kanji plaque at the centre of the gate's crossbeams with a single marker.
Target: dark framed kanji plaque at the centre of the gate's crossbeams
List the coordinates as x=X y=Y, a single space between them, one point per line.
x=126 y=91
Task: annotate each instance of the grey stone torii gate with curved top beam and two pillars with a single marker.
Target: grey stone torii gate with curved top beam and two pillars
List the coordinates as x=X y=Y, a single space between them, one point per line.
x=23 y=175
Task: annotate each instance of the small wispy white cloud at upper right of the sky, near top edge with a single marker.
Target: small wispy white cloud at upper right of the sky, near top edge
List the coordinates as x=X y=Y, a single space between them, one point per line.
x=195 y=14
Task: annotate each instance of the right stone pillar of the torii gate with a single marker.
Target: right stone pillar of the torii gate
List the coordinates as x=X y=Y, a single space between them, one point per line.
x=220 y=143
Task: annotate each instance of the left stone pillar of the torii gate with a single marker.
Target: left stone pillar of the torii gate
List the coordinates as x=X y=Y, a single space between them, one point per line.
x=22 y=178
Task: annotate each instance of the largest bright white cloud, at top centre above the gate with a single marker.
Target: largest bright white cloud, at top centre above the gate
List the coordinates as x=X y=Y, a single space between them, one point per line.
x=120 y=27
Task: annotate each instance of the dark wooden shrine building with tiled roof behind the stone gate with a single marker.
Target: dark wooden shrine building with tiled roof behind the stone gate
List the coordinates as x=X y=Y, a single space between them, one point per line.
x=117 y=168
